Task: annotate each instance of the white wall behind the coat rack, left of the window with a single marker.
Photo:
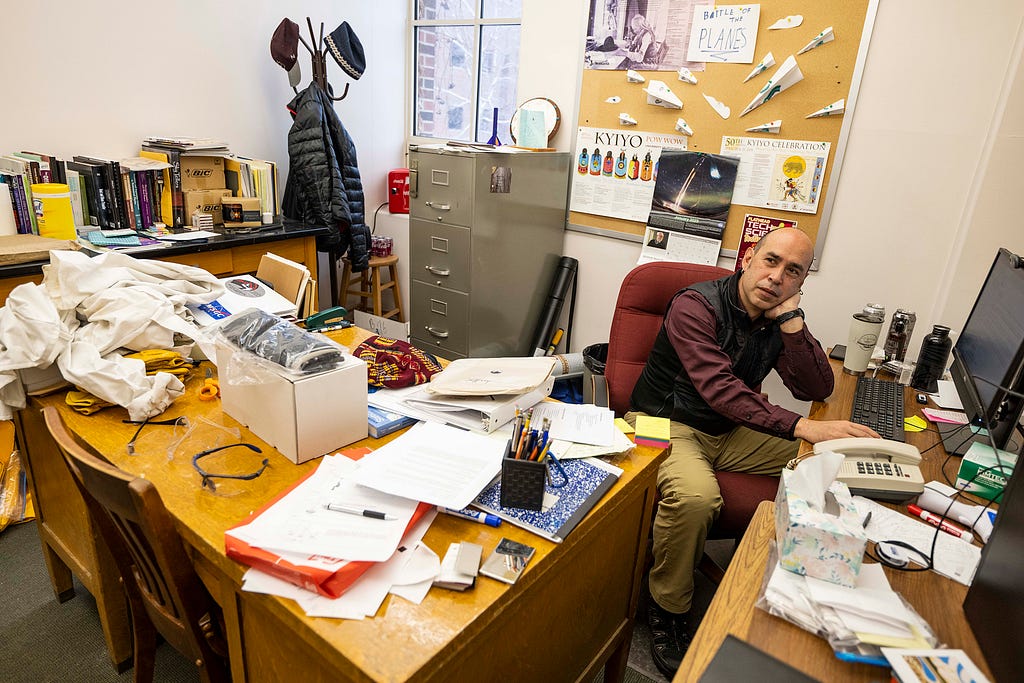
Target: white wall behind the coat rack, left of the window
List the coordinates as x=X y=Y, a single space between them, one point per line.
x=98 y=76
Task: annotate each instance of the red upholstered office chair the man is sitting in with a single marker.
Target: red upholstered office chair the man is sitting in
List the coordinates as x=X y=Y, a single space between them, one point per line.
x=644 y=298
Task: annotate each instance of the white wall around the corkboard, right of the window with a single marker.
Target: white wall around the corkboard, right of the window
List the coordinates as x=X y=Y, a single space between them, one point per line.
x=928 y=172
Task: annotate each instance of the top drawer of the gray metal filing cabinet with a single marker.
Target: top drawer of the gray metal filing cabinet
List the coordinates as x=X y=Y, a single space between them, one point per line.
x=444 y=192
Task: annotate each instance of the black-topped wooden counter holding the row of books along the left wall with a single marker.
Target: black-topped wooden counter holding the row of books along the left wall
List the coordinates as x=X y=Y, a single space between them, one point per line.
x=224 y=255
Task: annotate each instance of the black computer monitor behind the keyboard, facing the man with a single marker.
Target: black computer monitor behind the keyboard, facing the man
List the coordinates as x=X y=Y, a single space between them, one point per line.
x=989 y=357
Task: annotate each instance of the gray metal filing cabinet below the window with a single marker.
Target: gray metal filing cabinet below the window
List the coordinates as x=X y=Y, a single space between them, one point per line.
x=486 y=236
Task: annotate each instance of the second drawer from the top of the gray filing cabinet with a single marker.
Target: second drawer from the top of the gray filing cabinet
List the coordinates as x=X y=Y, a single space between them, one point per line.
x=440 y=254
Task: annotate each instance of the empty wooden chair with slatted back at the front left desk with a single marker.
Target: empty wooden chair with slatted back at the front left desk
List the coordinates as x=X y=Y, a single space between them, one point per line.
x=164 y=591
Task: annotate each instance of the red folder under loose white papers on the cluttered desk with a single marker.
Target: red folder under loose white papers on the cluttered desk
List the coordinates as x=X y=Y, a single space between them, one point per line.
x=329 y=584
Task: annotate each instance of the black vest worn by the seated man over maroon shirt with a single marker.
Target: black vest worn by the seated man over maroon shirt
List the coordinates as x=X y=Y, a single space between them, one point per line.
x=665 y=389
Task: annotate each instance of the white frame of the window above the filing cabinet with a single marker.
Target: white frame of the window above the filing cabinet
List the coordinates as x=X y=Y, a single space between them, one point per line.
x=478 y=24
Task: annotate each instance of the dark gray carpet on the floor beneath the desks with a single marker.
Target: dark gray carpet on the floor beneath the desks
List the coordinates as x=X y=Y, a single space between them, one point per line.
x=42 y=641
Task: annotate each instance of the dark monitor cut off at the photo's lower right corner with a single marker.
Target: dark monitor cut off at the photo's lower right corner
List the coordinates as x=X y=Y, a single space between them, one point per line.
x=995 y=604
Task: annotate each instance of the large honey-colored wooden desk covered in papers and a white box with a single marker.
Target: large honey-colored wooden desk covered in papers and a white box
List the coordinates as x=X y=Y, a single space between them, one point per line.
x=571 y=614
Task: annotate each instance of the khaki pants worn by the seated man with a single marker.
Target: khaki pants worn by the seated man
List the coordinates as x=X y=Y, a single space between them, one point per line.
x=691 y=500
